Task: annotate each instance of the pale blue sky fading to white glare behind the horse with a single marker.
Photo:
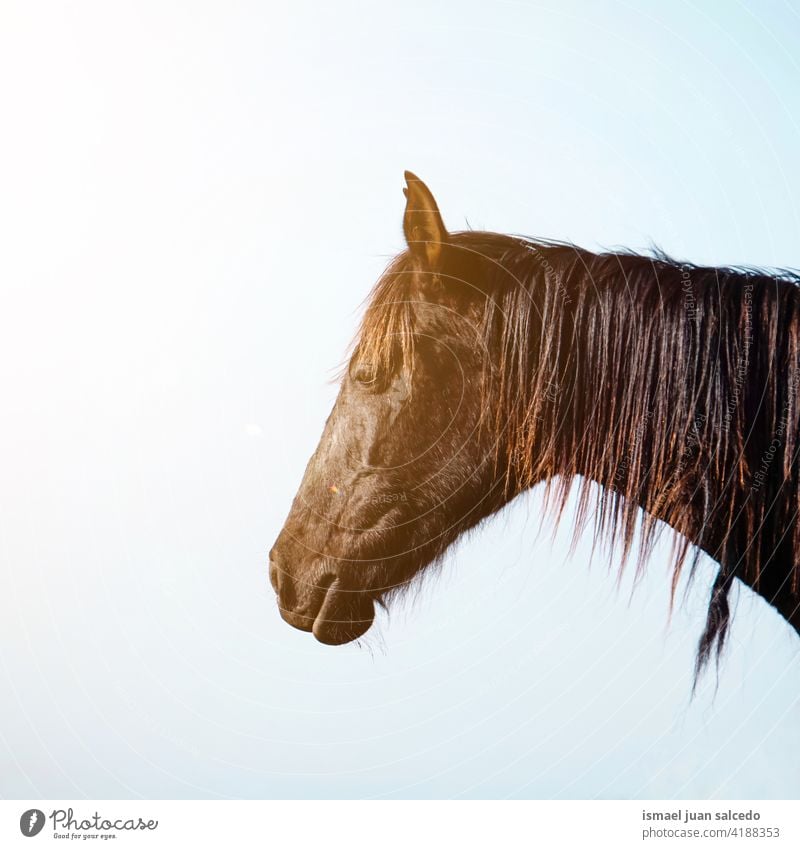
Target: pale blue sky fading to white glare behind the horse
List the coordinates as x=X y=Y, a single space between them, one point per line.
x=196 y=198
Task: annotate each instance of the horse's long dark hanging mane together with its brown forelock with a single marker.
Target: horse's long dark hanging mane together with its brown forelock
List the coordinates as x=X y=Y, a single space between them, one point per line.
x=695 y=372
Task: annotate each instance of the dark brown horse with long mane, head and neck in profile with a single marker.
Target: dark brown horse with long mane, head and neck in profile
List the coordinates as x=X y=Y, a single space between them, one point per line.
x=487 y=364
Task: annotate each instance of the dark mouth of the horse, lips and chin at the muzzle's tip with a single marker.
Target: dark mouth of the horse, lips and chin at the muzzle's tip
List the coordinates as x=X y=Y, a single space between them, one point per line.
x=333 y=615
